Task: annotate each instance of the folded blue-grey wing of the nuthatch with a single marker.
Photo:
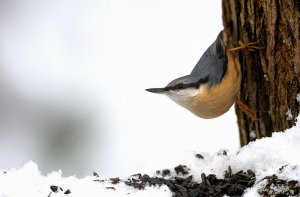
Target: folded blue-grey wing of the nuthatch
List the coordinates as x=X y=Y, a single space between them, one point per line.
x=213 y=64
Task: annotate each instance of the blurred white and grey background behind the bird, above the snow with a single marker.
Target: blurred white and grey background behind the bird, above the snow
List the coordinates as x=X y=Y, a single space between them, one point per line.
x=72 y=80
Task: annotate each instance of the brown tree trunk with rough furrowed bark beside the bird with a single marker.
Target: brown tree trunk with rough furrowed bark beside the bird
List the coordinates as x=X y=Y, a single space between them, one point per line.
x=271 y=76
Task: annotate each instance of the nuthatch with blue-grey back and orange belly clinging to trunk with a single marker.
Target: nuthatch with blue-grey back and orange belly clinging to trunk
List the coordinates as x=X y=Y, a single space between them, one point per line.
x=212 y=87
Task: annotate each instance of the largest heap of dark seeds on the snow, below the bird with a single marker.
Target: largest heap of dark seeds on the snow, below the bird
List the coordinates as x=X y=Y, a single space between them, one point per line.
x=185 y=186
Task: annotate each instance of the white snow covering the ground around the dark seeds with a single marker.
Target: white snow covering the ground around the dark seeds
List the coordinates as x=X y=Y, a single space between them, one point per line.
x=277 y=155
